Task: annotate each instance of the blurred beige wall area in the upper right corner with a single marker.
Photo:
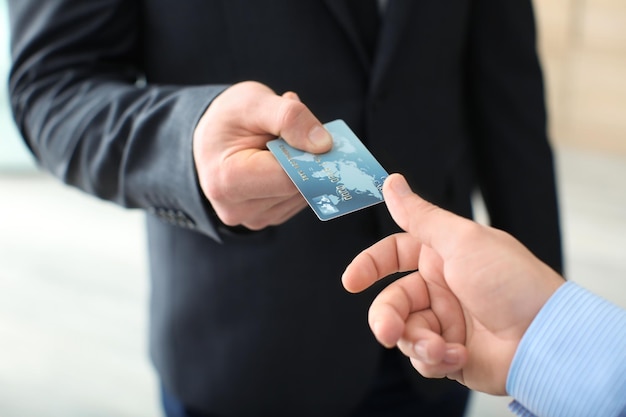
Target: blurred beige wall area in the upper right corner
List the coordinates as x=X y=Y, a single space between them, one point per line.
x=583 y=47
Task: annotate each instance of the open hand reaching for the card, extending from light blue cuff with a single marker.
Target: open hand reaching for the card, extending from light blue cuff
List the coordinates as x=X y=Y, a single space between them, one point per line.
x=473 y=293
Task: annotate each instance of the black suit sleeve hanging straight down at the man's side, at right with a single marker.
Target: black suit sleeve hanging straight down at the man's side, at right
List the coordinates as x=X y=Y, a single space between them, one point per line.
x=514 y=160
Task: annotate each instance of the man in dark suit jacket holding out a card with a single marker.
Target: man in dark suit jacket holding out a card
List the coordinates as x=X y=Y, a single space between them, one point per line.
x=150 y=104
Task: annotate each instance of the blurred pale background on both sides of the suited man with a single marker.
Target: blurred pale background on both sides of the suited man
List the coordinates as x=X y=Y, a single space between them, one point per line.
x=73 y=308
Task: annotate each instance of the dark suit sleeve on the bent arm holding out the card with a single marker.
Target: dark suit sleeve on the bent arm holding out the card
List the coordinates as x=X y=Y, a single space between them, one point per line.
x=78 y=101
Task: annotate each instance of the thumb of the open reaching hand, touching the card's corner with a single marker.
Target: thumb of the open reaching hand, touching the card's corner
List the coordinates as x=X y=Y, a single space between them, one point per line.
x=429 y=224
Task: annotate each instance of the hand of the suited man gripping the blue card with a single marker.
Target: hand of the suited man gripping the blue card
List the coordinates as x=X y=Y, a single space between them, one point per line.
x=241 y=179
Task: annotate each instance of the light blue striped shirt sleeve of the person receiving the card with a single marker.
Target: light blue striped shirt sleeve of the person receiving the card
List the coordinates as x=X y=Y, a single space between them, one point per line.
x=572 y=360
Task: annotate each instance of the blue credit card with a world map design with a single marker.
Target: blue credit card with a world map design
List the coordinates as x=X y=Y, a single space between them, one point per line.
x=341 y=181
